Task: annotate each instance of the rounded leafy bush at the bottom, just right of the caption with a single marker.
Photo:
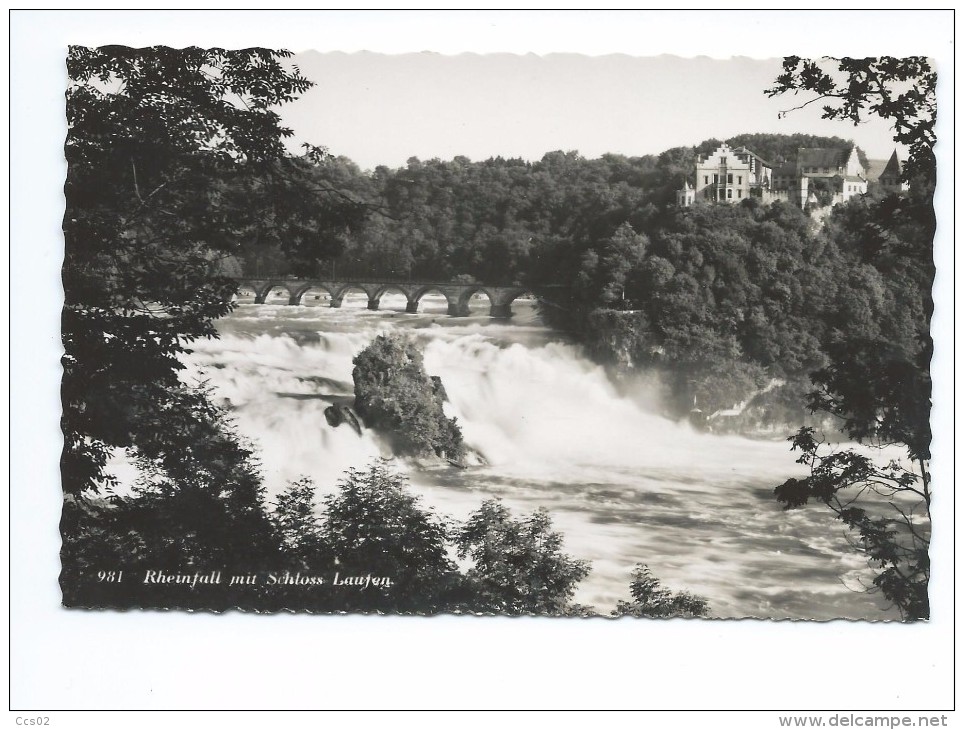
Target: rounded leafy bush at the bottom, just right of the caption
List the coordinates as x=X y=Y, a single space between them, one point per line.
x=518 y=566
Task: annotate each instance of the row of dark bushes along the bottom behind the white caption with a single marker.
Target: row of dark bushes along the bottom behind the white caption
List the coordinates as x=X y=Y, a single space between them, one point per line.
x=310 y=556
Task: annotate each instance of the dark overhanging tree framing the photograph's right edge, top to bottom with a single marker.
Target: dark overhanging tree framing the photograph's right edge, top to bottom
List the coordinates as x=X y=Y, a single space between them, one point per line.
x=877 y=378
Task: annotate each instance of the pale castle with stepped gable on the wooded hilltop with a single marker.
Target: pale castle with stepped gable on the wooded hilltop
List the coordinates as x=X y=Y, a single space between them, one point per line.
x=820 y=176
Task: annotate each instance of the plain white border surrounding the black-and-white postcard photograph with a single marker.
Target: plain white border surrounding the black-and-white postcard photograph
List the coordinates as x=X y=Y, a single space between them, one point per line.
x=81 y=659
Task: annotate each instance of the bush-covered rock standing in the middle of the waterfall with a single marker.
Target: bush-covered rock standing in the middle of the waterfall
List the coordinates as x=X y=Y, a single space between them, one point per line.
x=393 y=393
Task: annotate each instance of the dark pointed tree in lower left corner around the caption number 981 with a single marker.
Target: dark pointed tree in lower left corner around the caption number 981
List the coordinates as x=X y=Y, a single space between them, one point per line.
x=198 y=504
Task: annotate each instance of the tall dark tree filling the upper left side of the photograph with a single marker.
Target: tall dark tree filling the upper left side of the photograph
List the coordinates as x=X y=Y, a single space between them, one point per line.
x=153 y=134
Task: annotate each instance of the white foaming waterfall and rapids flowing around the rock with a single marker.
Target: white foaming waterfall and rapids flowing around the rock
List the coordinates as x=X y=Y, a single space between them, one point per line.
x=624 y=485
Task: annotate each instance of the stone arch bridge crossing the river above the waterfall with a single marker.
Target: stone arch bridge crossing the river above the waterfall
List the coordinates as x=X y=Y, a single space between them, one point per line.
x=457 y=295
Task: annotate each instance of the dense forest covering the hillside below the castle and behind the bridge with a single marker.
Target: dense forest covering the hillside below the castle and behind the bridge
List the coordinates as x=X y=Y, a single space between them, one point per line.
x=729 y=305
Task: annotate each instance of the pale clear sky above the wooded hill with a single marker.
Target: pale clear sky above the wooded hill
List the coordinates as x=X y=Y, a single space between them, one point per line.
x=381 y=109
